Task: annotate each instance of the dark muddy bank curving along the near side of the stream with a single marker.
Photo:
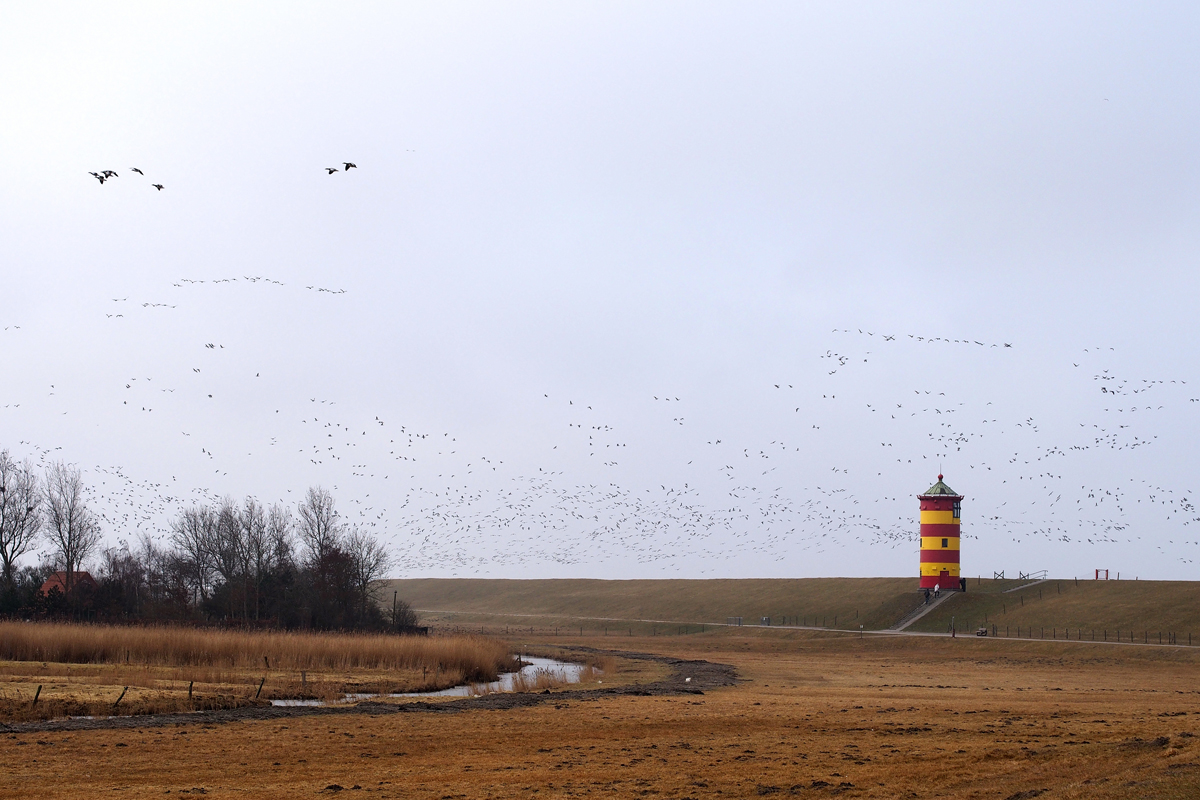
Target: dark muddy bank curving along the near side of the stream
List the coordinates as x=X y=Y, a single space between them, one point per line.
x=687 y=678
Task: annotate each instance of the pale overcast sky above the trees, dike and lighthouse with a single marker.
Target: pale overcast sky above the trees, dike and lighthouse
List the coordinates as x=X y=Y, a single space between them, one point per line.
x=538 y=332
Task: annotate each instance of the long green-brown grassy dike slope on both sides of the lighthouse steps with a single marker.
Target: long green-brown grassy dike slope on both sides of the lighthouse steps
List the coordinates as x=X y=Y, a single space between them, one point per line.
x=1144 y=607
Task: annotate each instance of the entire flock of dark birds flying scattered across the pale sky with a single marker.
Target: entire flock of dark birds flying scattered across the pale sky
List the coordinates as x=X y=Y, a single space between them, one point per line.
x=719 y=491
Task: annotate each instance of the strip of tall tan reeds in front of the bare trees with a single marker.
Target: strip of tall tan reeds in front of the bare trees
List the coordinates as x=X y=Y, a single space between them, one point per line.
x=478 y=659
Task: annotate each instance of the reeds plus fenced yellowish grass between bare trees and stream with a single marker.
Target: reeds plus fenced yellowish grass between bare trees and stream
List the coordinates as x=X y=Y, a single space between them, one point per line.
x=51 y=670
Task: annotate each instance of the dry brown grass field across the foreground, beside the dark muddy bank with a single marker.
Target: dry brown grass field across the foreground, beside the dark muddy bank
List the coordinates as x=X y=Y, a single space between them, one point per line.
x=818 y=714
